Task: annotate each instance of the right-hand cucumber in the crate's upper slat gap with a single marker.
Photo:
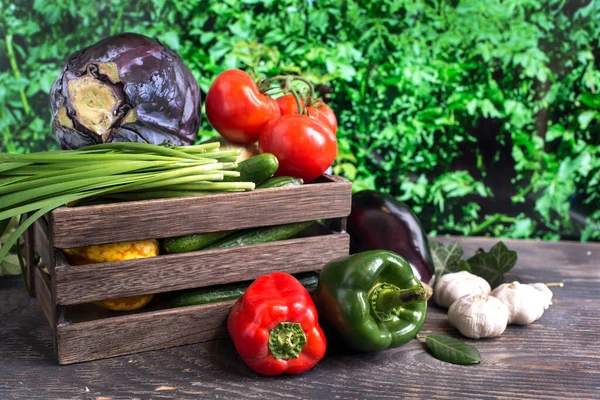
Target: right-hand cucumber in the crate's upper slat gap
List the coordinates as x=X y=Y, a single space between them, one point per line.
x=261 y=235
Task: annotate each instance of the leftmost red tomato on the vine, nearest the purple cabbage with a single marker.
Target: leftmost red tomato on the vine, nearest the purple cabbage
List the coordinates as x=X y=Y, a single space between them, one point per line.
x=237 y=109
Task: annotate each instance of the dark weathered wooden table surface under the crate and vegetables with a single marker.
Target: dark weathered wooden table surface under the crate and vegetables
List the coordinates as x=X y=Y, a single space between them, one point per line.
x=556 y=357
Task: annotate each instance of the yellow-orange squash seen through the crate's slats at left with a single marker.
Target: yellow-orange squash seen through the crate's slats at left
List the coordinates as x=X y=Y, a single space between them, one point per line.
x=116 y=252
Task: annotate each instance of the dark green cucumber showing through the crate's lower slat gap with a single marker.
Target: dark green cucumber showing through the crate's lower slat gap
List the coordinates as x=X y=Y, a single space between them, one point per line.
x=218 y=293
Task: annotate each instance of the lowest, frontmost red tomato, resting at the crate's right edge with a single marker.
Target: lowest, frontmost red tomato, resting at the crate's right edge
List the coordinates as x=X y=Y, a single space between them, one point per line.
x=305 y=147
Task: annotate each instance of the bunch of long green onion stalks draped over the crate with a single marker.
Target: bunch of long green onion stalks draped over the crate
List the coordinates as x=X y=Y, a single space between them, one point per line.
x=40 y=182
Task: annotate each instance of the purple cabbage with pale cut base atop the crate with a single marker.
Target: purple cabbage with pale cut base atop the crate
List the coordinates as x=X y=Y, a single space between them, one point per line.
x=125 y=88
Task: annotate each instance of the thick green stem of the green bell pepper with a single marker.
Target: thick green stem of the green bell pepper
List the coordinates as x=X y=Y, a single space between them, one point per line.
x=386 y=299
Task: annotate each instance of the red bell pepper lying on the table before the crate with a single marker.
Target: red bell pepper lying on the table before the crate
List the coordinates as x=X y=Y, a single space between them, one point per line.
x=275 y=328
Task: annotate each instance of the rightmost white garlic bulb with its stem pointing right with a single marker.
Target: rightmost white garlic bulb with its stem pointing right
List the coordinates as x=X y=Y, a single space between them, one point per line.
x=526 y=303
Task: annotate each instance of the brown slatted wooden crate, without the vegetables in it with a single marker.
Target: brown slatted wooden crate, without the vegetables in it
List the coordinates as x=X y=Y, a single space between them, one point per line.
x=83 y=332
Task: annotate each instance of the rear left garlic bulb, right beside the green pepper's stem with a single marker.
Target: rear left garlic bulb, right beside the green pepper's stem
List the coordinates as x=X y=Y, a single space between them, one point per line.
x=451 y=287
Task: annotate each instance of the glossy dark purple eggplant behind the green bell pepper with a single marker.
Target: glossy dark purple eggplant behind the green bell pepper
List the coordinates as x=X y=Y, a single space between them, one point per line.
x=380 y=222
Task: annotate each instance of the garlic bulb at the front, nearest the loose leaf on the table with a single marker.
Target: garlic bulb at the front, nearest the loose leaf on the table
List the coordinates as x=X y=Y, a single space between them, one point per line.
x=478 y=316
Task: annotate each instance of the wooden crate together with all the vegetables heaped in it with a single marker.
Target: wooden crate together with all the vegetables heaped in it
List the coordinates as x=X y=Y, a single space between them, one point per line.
x=143 y=234
